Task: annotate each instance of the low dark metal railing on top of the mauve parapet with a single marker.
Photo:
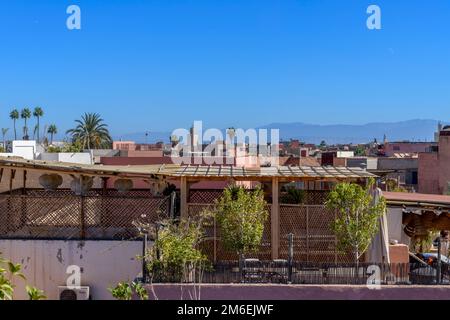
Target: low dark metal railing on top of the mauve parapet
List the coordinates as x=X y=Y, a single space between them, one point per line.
x=283 y=272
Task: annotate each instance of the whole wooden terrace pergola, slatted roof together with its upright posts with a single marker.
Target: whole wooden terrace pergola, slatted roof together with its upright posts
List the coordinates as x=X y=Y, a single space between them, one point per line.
x=187 y=175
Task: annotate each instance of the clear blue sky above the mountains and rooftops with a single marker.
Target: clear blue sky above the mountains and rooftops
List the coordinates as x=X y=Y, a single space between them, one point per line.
x=159 y=65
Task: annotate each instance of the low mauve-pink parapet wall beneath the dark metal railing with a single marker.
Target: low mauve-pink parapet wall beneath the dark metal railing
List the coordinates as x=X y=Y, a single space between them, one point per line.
x=299 y=292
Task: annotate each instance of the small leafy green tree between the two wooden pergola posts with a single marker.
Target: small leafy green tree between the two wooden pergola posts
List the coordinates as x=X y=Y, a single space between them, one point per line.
x=241 y=215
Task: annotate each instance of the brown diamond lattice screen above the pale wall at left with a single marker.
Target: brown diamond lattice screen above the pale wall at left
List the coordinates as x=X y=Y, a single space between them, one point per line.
x=63 y=215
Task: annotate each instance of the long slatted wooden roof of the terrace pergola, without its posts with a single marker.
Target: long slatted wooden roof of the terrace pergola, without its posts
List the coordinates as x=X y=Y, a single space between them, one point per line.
x=284 y=173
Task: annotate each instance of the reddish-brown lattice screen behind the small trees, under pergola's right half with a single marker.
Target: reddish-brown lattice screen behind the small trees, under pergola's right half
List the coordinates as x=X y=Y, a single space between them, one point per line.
x=314 y=240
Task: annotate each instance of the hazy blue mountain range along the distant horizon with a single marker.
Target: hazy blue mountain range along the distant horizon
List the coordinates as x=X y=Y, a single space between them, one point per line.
x=411 y=130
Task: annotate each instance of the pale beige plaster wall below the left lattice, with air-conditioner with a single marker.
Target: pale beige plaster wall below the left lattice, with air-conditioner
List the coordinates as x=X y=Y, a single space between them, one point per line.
x=103 y=264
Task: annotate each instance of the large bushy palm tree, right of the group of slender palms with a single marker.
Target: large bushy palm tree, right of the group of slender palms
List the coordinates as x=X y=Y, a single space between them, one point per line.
x=91 y=132
